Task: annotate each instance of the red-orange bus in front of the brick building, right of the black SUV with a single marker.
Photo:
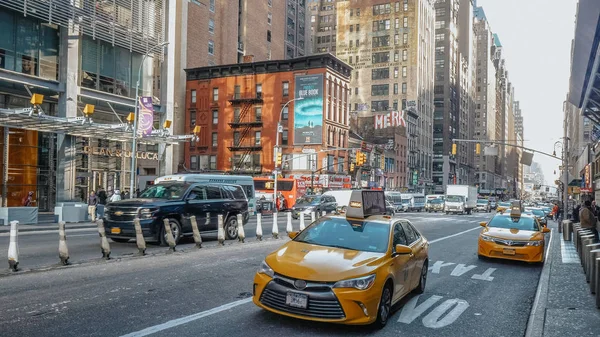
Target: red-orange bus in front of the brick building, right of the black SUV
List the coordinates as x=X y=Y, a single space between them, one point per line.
x=290 y=188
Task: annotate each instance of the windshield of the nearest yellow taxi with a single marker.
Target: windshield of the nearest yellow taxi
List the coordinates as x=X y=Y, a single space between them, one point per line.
x=367 y=236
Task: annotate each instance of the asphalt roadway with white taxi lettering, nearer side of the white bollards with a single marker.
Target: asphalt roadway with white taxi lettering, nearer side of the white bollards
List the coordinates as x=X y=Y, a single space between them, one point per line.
x=206 y=293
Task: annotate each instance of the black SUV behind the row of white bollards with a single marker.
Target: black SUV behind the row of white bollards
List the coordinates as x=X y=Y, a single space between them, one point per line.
x=177 y=201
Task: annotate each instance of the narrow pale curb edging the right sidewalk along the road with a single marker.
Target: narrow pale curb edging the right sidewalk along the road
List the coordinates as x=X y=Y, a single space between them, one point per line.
x=537 y=317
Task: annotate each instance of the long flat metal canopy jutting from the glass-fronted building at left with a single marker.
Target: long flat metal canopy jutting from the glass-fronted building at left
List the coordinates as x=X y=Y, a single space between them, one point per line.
x=80 y=127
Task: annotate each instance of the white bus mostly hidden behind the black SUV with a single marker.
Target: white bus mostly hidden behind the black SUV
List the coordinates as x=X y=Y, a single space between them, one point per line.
x=245 y=182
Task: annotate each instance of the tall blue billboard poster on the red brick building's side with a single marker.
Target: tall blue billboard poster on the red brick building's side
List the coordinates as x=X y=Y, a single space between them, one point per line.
x=308 y=112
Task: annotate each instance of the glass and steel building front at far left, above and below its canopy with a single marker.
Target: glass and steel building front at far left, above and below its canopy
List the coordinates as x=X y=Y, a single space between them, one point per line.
x=77 y=55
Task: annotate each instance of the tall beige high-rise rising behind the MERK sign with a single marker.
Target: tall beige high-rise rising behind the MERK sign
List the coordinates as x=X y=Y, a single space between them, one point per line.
x=391 y=47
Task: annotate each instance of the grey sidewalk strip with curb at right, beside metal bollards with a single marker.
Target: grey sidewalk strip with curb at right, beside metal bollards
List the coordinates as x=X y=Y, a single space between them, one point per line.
x=564 y=305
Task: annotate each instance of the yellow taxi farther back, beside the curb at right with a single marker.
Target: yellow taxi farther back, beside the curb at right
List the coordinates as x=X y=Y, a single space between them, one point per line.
x=513 y=235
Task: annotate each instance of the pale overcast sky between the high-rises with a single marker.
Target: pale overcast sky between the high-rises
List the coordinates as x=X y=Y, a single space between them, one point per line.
x=536 y=38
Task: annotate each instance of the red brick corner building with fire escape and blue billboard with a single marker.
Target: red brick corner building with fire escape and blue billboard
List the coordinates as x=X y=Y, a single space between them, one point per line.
x=238 y=107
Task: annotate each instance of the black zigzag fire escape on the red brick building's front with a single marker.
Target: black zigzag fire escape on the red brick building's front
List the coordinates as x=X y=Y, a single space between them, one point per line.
x=242 y=125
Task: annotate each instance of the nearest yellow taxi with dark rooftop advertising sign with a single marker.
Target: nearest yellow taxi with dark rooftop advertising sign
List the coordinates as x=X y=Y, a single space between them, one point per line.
x=345 y=269
